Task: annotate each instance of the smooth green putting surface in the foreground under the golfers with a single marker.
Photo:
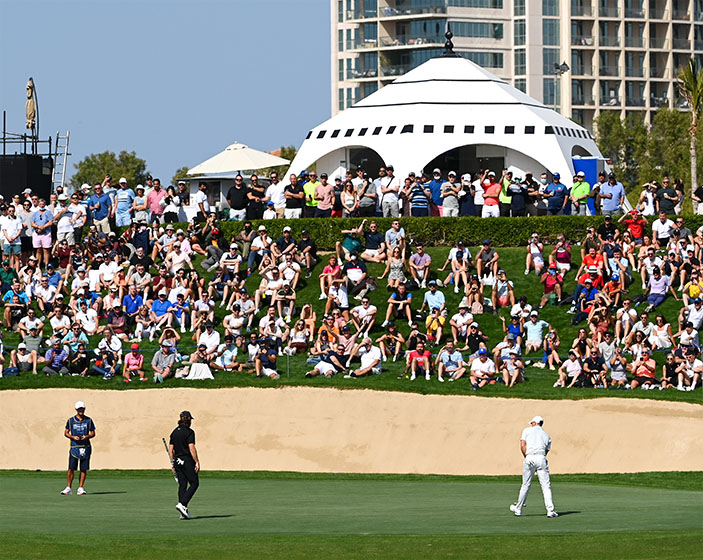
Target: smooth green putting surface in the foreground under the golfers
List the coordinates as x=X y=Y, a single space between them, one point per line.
x=315 y=516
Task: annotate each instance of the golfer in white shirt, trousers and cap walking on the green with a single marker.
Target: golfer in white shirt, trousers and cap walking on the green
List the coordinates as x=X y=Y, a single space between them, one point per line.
x=535 y=443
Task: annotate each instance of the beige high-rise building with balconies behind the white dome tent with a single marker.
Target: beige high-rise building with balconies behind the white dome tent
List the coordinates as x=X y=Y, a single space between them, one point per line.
x=580 y=56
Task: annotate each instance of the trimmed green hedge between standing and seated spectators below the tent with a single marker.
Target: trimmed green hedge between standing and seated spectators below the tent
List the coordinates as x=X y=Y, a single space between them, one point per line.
x=503 y=232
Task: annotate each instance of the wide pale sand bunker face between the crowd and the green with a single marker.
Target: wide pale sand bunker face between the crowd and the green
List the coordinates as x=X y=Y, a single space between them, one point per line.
x=364 y=431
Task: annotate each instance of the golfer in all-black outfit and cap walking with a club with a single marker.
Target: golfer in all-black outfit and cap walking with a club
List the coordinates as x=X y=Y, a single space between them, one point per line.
x=184 y=462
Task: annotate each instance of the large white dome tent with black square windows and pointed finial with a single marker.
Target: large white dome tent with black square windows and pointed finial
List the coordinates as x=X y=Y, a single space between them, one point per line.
x=448 y=107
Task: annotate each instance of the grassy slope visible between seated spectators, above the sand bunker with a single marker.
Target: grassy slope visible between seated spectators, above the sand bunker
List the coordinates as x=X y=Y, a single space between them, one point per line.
x=539 y=383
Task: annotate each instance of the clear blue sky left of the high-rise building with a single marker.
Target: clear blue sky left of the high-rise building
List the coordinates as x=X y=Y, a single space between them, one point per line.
x=174 y=81
